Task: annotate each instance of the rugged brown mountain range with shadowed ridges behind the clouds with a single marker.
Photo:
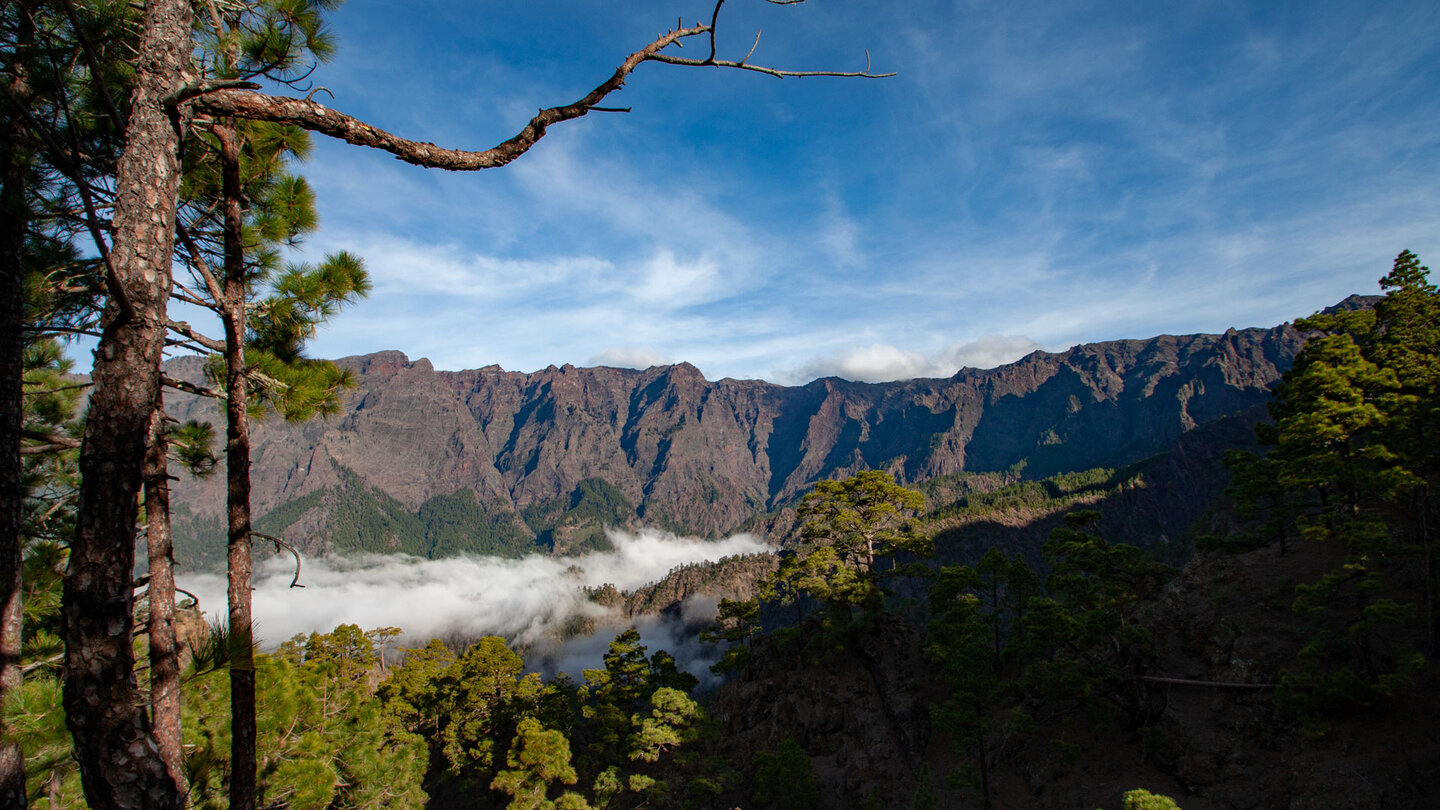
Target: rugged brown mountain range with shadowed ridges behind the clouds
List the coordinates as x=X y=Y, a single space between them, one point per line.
x=437 y=463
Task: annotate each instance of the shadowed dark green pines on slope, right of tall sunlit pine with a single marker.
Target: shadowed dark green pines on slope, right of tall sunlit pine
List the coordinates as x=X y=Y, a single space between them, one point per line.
x=1065 y=646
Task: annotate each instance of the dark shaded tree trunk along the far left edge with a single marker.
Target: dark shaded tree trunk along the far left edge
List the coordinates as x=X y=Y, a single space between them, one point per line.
x=14 y=220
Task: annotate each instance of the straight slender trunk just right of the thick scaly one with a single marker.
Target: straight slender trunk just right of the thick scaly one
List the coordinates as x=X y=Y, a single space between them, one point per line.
x=238 y=484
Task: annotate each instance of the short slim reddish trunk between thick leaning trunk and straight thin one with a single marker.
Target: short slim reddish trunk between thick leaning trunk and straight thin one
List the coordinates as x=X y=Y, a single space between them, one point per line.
x=165 y=654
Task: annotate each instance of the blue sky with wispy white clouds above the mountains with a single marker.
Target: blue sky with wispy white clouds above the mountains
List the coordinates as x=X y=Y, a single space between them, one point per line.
x=1038 y=175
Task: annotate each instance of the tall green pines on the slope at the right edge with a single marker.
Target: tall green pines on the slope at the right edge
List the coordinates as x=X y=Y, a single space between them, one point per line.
x=1354 y=472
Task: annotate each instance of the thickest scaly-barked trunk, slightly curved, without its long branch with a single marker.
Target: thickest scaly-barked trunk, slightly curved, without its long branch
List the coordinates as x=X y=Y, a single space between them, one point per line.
x=120 y=763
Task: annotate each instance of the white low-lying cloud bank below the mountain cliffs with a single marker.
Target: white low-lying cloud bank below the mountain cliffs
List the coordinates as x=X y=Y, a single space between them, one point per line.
x=523 y=600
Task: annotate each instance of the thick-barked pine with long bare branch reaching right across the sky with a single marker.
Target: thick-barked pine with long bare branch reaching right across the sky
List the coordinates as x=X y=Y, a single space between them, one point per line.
x=114 y=746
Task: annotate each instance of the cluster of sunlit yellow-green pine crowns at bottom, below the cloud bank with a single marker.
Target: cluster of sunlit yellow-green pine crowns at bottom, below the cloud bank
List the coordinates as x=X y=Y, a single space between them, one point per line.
x=613 y=743
